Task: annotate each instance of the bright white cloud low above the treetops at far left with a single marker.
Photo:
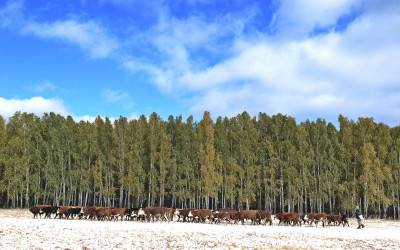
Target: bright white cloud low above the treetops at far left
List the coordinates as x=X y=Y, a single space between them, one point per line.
x=37 y=105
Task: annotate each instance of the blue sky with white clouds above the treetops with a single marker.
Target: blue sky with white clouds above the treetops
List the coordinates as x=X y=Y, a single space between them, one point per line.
x=307 y=59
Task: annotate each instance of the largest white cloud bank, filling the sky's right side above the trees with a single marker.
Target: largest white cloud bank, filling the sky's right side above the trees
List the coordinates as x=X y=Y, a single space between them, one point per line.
x=350 y=72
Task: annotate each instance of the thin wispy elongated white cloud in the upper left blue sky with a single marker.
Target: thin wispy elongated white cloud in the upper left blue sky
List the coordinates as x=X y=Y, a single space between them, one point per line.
x=89 y=36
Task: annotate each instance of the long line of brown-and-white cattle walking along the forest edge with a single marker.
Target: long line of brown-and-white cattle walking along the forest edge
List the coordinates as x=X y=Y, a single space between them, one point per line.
x=228 y=216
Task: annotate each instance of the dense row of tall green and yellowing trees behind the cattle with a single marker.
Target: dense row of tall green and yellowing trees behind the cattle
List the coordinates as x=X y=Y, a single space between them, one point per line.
x=243 y=162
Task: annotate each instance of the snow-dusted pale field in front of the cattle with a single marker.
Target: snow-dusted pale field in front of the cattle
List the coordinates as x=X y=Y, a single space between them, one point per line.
x=18 y=230
